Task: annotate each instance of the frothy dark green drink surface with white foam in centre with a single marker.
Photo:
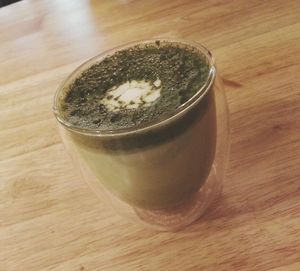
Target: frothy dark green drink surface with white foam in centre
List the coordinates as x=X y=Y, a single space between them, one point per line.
x=134 y=86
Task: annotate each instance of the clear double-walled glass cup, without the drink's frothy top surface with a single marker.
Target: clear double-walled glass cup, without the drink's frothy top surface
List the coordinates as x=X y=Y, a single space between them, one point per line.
x=163 y=174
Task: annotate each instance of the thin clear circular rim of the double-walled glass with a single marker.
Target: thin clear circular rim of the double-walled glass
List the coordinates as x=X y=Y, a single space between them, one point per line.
x=146 y=126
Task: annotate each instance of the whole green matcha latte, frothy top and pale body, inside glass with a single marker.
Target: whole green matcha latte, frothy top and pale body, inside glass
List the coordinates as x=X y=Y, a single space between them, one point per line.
x=143 y=120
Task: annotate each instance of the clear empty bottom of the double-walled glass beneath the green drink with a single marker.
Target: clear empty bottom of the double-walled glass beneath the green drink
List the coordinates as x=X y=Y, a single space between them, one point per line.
x=163 y=220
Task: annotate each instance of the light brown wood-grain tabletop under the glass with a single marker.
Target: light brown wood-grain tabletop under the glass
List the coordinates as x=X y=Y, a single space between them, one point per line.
x=50 y=220
